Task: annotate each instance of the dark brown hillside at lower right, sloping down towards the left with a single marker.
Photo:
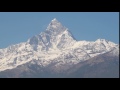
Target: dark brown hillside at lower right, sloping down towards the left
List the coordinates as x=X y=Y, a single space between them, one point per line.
x=102 y=66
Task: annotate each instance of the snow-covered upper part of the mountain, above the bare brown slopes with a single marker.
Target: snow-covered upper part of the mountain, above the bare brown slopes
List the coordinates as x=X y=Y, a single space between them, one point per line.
x=55 y=44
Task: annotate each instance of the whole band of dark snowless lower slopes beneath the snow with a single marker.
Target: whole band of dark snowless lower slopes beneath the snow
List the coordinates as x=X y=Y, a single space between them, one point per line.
x=102 y=66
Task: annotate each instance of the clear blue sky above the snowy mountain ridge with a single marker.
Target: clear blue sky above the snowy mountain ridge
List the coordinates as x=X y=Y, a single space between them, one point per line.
x=16 y=27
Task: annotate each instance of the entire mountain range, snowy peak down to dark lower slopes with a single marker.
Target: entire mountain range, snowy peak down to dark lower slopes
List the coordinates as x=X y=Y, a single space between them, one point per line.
x=56 y=53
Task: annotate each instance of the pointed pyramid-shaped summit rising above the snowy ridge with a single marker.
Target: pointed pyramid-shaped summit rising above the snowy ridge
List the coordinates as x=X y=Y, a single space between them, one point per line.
x=55 y=36
